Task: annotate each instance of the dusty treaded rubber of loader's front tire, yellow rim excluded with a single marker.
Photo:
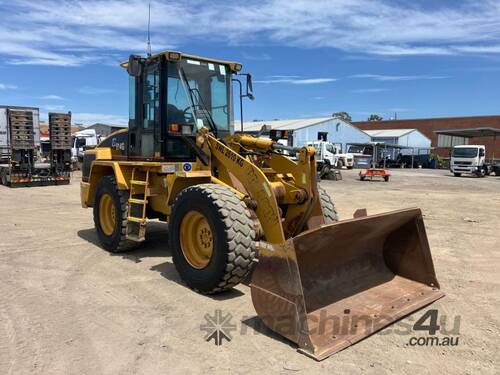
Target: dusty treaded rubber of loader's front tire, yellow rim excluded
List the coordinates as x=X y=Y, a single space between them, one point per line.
x=235 y=241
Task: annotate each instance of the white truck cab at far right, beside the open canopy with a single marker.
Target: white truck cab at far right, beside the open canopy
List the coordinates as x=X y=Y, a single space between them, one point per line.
x=468 y=159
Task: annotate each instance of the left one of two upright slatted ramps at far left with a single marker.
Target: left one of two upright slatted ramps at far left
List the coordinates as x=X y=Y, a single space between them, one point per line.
x=21 y=130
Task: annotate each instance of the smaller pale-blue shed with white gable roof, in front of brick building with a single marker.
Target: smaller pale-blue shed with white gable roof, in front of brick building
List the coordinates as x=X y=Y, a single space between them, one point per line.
x=402 y=137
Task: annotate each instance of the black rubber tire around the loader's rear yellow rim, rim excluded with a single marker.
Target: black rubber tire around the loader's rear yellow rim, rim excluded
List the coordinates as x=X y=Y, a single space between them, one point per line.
x=117 y=242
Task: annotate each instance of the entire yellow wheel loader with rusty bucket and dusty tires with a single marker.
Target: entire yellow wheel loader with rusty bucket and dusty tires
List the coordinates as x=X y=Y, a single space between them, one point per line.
x=237 y=204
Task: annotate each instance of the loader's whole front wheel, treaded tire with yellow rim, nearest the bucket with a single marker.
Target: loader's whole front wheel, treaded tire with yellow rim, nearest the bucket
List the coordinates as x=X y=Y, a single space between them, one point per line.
x=212 y=238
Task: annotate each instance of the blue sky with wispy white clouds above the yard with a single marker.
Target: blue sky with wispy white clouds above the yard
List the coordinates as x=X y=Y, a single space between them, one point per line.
x=308 y=58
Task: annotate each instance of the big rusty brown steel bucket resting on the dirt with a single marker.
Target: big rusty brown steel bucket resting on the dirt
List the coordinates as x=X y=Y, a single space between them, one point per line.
x=332 y=286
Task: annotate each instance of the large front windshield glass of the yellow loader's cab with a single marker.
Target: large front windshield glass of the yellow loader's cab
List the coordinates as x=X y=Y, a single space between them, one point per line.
x=195 y=88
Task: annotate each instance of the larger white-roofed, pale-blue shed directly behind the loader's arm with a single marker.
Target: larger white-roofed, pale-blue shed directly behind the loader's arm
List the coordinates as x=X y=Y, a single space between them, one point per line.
x=335 y=130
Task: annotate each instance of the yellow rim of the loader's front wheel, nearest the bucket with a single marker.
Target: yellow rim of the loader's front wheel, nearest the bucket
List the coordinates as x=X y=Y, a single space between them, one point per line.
x=197 y=242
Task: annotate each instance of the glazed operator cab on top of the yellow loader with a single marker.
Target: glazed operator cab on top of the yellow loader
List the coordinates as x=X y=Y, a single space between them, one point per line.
x=172 y=96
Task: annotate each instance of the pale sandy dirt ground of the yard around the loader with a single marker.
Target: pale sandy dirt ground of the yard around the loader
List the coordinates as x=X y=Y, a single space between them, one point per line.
x=69 y=307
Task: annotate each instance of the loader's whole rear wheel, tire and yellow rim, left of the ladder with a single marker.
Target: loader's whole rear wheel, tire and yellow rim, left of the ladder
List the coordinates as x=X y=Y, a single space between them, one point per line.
x=110 y=216
